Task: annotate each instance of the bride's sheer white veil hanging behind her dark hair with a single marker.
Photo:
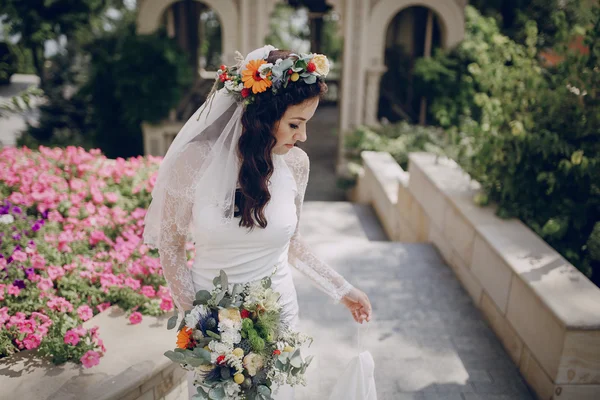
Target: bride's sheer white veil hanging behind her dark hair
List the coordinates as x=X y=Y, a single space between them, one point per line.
x=216 y=127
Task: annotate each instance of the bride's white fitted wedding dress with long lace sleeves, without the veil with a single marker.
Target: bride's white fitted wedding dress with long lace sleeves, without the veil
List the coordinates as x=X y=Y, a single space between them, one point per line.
x=247 y=255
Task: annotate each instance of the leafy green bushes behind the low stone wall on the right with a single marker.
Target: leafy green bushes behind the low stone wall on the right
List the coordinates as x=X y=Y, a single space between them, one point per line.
x=529 y=135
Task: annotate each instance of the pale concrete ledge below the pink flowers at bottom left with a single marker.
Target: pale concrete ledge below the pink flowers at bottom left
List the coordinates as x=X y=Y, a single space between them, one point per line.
x=133 y=367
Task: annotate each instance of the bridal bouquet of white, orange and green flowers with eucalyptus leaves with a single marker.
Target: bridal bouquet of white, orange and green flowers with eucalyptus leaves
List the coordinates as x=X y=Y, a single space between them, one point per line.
x=234 y=342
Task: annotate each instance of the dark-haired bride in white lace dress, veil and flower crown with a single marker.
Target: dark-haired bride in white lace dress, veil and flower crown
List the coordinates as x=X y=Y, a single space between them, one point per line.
x=234 y=180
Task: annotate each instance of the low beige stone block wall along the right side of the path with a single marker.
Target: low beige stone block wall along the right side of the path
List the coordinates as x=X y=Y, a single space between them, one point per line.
x=544 y=311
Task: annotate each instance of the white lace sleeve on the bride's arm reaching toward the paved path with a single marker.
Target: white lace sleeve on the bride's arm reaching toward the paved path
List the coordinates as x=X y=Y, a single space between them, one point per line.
x=300 y=254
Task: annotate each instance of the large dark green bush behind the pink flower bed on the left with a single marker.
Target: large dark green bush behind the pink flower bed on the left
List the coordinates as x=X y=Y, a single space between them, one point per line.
x=101 y=102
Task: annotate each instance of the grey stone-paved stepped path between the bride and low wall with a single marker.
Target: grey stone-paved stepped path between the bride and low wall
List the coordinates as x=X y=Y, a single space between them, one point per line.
x=427 y=338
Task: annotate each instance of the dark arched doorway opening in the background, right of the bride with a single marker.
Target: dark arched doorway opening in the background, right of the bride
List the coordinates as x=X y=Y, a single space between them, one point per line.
x=414 y=32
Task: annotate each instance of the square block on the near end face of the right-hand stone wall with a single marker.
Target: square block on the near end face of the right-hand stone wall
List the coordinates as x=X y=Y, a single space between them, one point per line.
x=580 y=360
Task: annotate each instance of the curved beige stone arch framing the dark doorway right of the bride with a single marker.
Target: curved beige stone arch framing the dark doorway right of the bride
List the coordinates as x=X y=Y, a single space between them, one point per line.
x=450 y=16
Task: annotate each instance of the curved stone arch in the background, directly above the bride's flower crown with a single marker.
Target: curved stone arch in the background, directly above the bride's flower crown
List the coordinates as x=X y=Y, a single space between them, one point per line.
x=151 y=11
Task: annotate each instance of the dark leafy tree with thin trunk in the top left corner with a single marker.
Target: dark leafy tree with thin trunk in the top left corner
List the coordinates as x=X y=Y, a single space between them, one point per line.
x=37 y=21
